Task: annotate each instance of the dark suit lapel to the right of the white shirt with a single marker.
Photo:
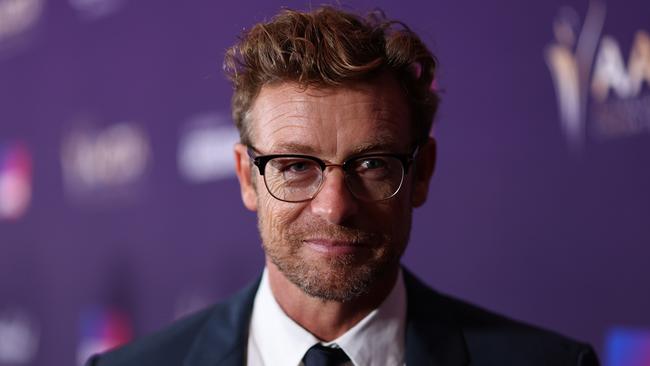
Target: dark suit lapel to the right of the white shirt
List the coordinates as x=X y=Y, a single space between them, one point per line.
x=432 y=335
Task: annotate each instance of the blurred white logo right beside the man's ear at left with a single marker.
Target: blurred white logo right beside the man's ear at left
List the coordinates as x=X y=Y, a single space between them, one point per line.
x=205 y=150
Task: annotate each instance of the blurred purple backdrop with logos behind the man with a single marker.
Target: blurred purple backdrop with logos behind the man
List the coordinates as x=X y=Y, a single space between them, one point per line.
x=120 y=212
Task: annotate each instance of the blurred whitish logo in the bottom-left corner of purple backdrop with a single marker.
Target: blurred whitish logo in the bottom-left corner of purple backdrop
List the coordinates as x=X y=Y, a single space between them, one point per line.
x=19 y=337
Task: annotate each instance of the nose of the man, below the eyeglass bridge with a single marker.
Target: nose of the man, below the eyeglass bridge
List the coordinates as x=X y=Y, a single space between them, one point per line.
x=334 y=202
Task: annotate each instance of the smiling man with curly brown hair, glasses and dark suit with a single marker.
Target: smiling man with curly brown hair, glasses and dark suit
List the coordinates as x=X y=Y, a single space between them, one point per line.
x=334 y=113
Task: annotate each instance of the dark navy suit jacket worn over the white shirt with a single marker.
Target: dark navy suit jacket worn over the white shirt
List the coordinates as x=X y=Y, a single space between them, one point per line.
x=440 y=331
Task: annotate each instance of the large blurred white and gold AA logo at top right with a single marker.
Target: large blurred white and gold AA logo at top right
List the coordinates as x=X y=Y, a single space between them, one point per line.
x=613 y=91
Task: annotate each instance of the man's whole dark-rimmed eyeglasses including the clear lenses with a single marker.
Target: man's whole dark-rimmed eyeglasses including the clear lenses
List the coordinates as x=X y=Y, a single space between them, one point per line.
x=299 y=178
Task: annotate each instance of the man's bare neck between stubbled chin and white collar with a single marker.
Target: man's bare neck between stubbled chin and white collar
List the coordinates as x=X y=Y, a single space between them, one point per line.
x=326 y=319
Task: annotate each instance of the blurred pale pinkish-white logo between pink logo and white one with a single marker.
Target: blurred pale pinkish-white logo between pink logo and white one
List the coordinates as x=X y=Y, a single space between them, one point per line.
x=114 y=157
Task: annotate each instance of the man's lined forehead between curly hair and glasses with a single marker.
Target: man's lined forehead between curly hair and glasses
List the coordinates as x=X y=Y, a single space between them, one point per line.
x=331 y=120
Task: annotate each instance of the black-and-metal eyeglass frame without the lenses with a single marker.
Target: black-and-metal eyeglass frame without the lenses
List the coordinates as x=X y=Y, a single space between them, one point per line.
x=260 y=161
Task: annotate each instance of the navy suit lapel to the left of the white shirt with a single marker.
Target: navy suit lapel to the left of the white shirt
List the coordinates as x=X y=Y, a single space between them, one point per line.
x=223 y=339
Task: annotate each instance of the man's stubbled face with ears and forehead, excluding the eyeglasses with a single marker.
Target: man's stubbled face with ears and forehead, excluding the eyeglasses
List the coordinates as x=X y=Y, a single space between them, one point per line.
x=333 y=247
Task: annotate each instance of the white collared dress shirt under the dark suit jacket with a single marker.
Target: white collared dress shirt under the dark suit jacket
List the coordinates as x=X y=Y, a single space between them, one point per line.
x=378 y=339
